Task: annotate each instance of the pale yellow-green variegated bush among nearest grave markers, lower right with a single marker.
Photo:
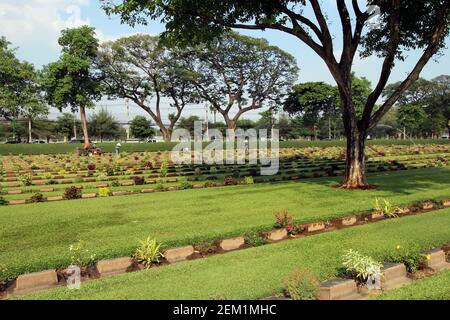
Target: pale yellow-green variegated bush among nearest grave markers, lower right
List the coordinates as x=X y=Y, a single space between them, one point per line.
x=361 y=267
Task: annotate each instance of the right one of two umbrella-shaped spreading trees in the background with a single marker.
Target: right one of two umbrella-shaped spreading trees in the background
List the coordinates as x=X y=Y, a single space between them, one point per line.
x=237 y=74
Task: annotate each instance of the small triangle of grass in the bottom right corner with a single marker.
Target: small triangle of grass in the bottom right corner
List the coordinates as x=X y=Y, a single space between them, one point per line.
x=436 y=287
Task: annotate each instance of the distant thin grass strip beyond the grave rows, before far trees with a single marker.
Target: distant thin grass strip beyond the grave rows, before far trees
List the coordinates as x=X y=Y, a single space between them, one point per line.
x=6 y=149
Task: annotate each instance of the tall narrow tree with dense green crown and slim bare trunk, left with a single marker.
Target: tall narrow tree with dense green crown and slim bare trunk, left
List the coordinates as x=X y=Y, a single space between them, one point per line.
x=72 y=81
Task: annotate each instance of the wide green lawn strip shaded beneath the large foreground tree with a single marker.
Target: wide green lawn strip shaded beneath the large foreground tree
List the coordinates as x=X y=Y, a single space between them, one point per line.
x=37 y=237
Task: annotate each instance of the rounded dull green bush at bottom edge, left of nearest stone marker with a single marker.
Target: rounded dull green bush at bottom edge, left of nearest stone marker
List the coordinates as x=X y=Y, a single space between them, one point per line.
x=301 y=285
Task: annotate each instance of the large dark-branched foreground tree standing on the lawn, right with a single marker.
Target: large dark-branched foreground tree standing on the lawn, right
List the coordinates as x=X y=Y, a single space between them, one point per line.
x=403 y=26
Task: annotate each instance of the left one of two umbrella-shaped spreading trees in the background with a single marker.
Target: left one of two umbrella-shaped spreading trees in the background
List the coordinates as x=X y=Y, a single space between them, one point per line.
x=142 y=70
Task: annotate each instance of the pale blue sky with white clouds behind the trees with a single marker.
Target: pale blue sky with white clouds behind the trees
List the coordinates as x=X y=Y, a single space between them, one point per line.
x=33 y=27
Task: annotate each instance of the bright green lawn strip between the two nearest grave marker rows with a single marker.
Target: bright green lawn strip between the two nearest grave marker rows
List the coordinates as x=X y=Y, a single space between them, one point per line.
x=259 y=272
